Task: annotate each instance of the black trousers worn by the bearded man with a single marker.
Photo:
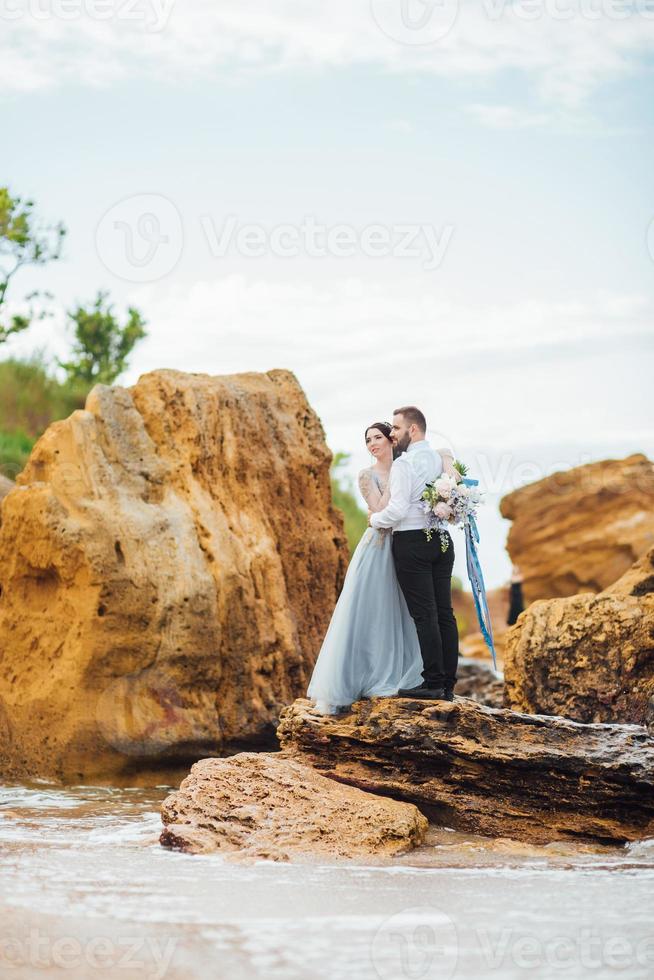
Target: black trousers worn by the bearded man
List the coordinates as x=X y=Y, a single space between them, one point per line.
x=424 y=572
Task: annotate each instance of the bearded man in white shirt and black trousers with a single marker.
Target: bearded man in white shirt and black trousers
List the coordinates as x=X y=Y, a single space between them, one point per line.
x=424 y=571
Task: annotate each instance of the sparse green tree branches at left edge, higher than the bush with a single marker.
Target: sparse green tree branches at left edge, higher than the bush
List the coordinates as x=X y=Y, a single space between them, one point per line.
x=23 y=241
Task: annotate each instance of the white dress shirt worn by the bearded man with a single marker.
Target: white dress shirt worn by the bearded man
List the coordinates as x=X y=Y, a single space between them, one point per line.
x=410 y=473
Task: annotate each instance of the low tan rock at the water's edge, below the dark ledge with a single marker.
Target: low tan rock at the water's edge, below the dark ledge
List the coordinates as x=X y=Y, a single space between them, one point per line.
x=264 y=805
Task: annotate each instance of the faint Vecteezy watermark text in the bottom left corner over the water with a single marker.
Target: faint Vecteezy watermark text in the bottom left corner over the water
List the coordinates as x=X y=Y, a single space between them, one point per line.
x=40 y=951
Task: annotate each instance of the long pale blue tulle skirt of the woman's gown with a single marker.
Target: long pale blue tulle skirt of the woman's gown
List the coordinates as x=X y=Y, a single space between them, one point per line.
x=371 y=647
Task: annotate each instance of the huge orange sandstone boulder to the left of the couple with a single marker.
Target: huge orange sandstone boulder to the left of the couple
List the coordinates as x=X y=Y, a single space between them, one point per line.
x=168 y=565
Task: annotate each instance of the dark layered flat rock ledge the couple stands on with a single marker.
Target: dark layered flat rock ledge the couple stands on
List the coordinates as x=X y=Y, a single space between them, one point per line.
x=486 y=770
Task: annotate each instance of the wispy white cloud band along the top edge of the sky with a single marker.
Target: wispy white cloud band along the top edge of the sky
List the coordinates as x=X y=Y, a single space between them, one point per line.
x=567 y=58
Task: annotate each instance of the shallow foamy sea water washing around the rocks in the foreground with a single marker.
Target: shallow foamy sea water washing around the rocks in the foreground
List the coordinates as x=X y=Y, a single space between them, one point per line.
x=88 y=892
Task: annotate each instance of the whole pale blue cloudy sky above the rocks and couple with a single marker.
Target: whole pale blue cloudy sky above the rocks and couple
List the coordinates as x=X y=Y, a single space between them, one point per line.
x=402 y=201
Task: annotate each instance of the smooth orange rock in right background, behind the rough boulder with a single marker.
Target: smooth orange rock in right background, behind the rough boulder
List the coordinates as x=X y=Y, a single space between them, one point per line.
x=580 y=530
